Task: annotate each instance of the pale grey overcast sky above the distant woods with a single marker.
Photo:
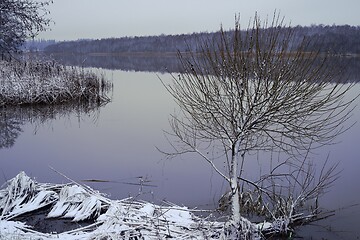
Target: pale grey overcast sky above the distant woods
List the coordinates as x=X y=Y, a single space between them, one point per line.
x=75 y=19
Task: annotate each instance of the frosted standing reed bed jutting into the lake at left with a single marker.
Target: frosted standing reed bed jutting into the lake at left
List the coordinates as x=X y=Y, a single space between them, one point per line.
x=47 y=82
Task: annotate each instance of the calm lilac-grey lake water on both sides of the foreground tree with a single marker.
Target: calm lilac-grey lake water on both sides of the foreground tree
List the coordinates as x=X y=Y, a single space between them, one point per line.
x=115 y=148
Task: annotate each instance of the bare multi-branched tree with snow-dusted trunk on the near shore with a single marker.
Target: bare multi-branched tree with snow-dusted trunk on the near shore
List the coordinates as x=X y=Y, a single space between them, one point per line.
x=254 y=90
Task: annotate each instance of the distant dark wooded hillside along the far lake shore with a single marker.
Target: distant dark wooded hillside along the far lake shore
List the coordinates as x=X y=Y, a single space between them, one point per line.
x=335 y=39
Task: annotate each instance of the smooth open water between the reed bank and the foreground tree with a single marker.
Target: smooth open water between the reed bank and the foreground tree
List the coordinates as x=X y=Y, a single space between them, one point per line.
x=117 y=143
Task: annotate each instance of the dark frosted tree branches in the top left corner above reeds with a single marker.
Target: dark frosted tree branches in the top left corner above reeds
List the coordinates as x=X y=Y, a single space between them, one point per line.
x=20 y=20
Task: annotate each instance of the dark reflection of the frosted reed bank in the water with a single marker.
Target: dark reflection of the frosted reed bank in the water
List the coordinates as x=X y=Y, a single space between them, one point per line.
x=12 y=118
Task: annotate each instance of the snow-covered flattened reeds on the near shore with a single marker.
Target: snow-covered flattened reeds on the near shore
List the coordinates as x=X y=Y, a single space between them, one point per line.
x=111 y=219
